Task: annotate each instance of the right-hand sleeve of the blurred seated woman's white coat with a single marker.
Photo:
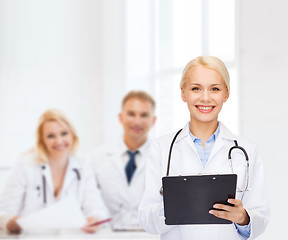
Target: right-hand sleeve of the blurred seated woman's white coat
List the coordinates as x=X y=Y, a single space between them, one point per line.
x=93 y=204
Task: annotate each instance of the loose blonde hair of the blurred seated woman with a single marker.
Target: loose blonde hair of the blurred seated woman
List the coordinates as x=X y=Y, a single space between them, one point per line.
x=57 y=116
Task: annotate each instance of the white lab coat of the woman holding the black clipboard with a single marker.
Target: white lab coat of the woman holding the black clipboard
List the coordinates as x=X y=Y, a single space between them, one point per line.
x=185 y=160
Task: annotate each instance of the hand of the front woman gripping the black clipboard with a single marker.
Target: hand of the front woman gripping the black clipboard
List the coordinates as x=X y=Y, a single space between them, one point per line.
x=236 y=214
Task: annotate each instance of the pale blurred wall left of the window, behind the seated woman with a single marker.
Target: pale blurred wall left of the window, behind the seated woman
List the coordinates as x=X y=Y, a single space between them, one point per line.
x=65 y=54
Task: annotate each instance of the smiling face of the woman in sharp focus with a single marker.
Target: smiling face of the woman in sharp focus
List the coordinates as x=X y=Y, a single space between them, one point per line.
x=205 y=92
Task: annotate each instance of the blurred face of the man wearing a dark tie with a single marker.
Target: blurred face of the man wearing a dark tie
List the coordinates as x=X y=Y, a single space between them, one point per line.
x=137 y=117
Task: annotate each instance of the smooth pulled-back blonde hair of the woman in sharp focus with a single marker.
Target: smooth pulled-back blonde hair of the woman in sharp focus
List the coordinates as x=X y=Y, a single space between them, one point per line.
x=209 y=62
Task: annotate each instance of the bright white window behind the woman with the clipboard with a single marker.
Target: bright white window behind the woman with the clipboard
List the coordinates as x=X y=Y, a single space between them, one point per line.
x=162 y=36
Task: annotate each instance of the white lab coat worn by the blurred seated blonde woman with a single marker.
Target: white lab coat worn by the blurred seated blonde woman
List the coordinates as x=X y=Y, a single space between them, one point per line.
x=23 y=192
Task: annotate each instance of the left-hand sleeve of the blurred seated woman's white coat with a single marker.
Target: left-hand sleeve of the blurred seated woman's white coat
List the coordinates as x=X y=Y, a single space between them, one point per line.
x=12 y=195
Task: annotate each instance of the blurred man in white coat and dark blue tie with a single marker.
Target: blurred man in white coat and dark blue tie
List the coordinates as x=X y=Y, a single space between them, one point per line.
x=119 y=167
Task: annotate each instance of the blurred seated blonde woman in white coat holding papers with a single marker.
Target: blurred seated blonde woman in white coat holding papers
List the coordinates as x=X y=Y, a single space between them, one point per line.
x=50 y=173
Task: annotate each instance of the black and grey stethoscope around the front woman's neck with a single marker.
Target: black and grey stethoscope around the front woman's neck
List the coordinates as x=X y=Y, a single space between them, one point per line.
x=229 y=159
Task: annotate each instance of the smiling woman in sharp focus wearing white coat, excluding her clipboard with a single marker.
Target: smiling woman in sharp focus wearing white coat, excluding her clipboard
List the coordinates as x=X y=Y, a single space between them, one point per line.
x=202 y=147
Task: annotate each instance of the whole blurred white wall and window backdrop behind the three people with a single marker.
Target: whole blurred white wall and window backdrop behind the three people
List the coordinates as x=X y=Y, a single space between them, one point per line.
x=83 y=56
